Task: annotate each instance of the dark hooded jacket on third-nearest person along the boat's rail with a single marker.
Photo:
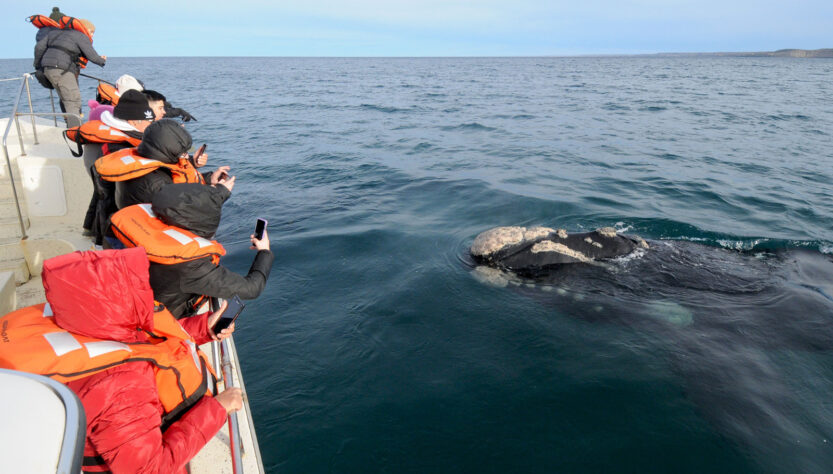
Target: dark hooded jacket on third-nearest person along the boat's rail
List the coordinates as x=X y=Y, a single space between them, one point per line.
x=163 y=140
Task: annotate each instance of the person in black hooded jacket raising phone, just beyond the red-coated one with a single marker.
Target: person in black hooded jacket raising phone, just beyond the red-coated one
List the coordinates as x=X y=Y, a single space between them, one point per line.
x=176 y=229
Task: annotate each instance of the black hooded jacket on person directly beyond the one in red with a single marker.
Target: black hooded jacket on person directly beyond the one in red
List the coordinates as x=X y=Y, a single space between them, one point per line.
x=197 y=208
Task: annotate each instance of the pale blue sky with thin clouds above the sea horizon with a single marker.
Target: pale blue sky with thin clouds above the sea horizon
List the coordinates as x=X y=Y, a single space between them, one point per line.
x=431 y=27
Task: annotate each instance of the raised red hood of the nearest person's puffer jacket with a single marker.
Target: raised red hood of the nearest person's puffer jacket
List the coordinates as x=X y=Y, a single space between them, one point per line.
x=104 y=294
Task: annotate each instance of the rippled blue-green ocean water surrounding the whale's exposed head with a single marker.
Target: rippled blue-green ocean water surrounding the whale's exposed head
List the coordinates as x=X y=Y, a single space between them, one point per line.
x=377 y=346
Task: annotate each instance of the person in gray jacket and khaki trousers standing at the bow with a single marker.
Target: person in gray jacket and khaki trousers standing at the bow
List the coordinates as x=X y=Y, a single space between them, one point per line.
x=57 y=55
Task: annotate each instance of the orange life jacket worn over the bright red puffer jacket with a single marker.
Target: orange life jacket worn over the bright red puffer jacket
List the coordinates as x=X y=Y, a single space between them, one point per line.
x=30 y=341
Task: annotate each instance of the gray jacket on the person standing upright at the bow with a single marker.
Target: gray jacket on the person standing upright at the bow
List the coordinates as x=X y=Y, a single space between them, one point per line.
x=60 y=48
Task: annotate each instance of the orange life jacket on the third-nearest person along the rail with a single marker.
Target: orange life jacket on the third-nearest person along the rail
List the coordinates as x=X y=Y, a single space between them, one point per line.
x=127 y=164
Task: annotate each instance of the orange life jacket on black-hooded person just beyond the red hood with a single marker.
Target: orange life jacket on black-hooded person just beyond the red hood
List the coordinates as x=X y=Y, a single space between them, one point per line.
x=138 y=226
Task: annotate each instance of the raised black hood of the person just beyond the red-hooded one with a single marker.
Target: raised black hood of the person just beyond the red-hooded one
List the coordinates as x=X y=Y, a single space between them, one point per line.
x=191 y=206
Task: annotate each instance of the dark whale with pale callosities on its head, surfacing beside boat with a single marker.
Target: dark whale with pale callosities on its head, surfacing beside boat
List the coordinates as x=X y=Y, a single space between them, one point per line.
x=744 y=332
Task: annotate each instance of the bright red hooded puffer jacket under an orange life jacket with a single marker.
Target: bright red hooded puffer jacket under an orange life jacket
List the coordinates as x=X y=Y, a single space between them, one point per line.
x=107 y=293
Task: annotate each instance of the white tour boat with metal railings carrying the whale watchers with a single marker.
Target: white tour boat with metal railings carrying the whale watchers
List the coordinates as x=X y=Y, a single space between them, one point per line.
x=44 y=193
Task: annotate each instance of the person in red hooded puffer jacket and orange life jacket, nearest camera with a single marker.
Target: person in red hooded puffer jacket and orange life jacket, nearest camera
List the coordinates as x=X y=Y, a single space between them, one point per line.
x=145 y=387
